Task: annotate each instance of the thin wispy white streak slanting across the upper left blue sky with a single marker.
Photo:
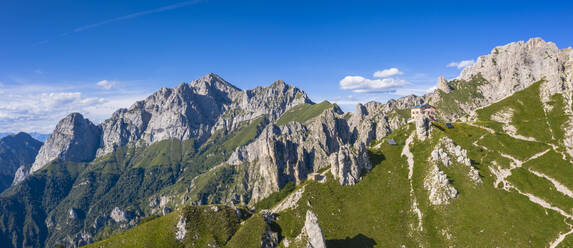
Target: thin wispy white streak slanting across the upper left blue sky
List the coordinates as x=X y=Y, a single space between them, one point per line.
x=126 y=17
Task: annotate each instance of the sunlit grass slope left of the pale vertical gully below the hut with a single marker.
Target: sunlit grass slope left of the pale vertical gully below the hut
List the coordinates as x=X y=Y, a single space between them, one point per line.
x=371 y=212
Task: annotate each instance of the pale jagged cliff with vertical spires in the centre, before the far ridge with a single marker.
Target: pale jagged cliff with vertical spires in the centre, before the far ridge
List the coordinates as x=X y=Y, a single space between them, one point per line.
x=282 y=154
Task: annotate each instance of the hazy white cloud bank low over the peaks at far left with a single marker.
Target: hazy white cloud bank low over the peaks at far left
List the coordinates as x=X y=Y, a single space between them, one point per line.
x=38 y=108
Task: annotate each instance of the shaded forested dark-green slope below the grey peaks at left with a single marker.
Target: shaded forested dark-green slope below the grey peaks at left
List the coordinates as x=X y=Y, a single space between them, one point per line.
x=128 y=178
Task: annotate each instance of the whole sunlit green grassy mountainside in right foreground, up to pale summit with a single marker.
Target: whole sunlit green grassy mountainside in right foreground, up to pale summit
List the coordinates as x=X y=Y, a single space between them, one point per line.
x=377 y=212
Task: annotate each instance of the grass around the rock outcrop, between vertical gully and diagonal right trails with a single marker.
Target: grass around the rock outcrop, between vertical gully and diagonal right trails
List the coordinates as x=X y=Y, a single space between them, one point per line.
x=481 y=214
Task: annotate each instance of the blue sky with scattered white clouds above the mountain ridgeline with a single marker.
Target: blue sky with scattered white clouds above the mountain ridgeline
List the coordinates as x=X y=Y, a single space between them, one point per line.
x=94 y=57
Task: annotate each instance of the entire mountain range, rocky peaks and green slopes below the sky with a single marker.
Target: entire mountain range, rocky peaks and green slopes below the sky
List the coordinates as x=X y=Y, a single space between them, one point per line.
x=206 y=164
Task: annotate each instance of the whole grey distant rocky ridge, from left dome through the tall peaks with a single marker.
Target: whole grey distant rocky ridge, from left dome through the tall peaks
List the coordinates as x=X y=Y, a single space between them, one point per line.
x=190 y=110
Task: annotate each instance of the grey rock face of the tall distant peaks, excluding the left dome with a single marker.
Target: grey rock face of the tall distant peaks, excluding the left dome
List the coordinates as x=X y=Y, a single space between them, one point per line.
x=196 y=110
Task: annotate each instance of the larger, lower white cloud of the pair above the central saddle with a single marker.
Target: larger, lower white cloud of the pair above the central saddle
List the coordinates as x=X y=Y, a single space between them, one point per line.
x=360 y=84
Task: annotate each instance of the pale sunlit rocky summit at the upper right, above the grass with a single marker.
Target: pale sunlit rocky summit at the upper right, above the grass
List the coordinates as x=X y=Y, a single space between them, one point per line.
x=516 y=66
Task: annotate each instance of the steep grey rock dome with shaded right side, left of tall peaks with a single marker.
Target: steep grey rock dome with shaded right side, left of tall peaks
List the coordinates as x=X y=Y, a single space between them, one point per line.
x=74 y=139
